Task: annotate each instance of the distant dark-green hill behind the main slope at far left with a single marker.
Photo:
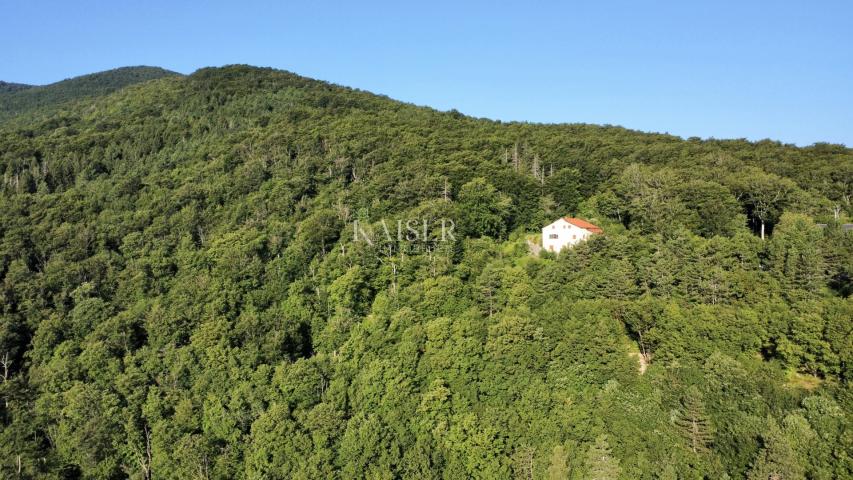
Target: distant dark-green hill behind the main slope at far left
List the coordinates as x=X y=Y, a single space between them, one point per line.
x=16 y=98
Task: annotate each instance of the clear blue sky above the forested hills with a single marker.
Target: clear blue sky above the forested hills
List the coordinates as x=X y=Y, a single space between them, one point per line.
x=726 y=69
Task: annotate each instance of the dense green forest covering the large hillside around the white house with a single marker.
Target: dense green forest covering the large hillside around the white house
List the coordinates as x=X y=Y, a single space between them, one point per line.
x=183 y=293
